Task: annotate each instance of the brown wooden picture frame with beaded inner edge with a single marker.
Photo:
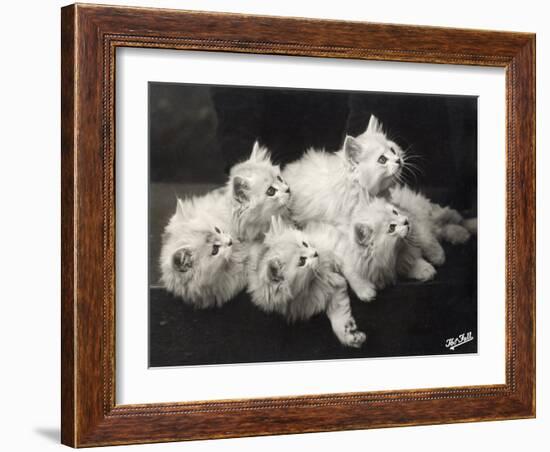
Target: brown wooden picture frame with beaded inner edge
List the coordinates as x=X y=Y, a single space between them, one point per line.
x=90 y=36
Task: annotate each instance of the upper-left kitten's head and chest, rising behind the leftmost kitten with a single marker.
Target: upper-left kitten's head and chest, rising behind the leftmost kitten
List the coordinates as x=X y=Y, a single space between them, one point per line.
x=257 y=191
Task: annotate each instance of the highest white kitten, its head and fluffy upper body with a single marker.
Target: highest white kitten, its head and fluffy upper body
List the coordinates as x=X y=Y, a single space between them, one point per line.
x=329 y=186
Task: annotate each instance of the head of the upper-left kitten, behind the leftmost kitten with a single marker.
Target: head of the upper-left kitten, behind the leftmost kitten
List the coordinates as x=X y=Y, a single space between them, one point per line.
x=257 y=183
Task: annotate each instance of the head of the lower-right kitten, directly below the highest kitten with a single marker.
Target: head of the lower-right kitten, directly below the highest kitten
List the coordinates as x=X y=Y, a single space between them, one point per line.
x=380 y=226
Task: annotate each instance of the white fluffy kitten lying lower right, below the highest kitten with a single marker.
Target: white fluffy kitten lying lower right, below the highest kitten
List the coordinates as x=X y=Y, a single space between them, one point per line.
x=378 y=244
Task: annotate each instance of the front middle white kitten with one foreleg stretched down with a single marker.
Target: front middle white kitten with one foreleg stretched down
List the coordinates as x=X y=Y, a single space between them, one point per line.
x=298 y=278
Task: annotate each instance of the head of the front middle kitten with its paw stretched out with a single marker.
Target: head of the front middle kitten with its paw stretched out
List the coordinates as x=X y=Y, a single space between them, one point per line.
x=290 y=257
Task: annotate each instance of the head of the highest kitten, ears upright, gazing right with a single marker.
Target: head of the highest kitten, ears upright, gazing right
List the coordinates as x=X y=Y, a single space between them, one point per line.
x=377 y=161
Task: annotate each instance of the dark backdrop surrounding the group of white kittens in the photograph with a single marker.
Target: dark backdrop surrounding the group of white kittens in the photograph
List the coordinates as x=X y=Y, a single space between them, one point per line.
x=197 y=132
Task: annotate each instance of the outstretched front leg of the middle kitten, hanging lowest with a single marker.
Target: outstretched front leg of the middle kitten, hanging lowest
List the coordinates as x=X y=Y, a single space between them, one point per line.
x=342 y=321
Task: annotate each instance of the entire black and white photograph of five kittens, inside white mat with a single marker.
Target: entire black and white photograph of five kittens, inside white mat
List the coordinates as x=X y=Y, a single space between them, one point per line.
x=299 y=224
